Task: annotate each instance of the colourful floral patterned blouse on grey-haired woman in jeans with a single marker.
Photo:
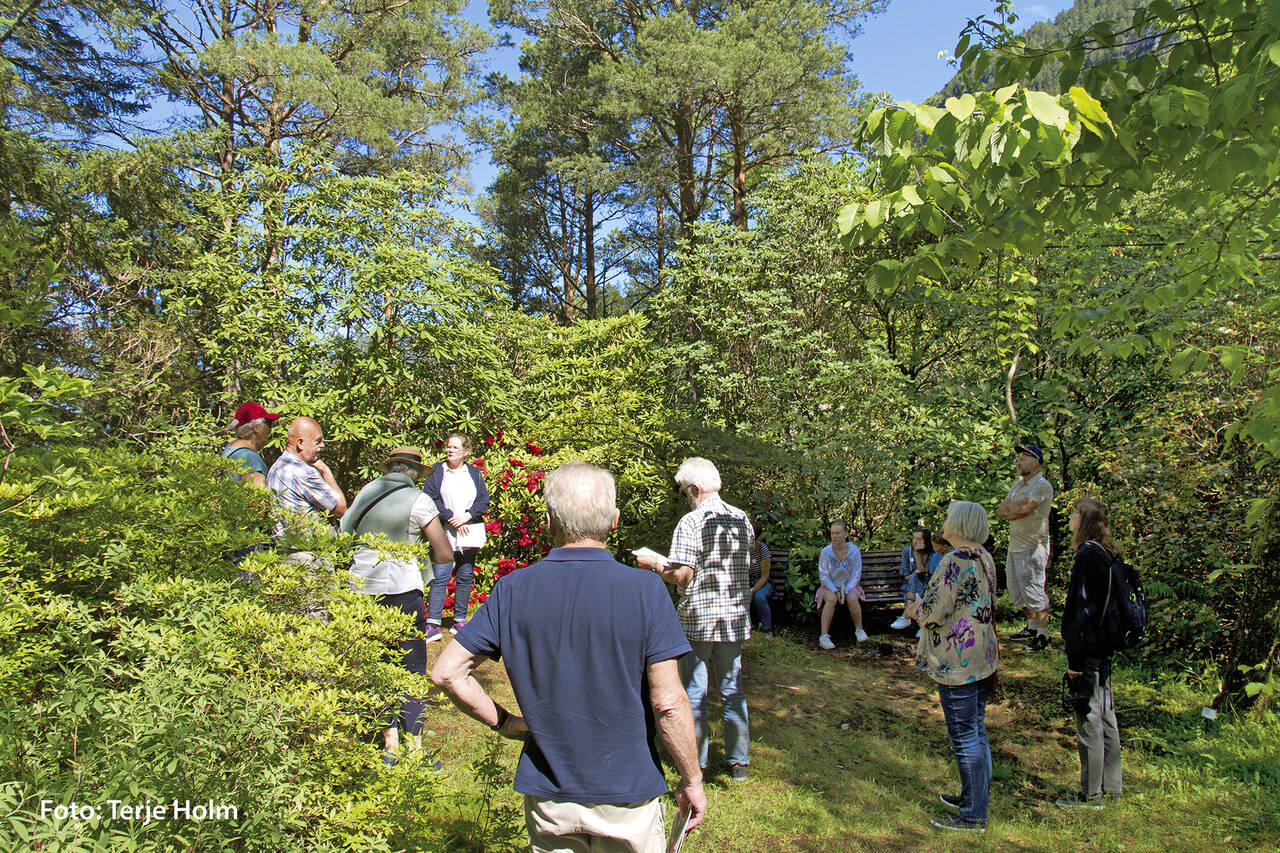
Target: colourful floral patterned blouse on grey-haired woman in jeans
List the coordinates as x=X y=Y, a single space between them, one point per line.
x=958 y=614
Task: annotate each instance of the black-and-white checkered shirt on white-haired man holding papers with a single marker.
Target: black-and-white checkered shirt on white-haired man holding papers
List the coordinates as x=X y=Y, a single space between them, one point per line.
x=716 y=541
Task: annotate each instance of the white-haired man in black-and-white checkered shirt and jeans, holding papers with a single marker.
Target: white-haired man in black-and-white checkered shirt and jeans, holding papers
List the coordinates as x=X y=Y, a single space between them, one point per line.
x=710 y=563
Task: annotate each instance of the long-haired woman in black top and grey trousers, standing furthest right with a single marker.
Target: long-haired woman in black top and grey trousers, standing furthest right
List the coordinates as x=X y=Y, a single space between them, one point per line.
x=1089 y=655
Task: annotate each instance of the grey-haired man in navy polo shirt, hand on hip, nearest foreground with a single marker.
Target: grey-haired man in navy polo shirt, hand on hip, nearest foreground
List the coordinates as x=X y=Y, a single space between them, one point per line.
x=591 y=649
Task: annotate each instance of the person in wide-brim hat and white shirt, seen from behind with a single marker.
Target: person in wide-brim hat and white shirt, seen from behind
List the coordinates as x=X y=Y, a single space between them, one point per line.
x=395 y=507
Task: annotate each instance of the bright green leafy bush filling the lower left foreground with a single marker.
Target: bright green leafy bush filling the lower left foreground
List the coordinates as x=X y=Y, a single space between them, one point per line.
x=138 y=667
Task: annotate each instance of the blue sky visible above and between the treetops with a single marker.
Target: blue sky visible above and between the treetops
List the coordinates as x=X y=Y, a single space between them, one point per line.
x=897 y=53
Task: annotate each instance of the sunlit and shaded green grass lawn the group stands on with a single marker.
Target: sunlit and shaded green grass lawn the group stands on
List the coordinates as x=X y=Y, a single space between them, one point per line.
x=849 y=752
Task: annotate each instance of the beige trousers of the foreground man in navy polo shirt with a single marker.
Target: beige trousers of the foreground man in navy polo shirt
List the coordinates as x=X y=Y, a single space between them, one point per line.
x=628 y=828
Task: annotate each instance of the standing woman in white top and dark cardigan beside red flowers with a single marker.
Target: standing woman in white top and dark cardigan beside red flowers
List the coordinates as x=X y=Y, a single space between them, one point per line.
x=463 y=500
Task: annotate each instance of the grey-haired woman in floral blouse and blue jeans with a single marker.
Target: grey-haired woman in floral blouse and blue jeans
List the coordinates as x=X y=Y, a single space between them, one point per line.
x=959 y=651
